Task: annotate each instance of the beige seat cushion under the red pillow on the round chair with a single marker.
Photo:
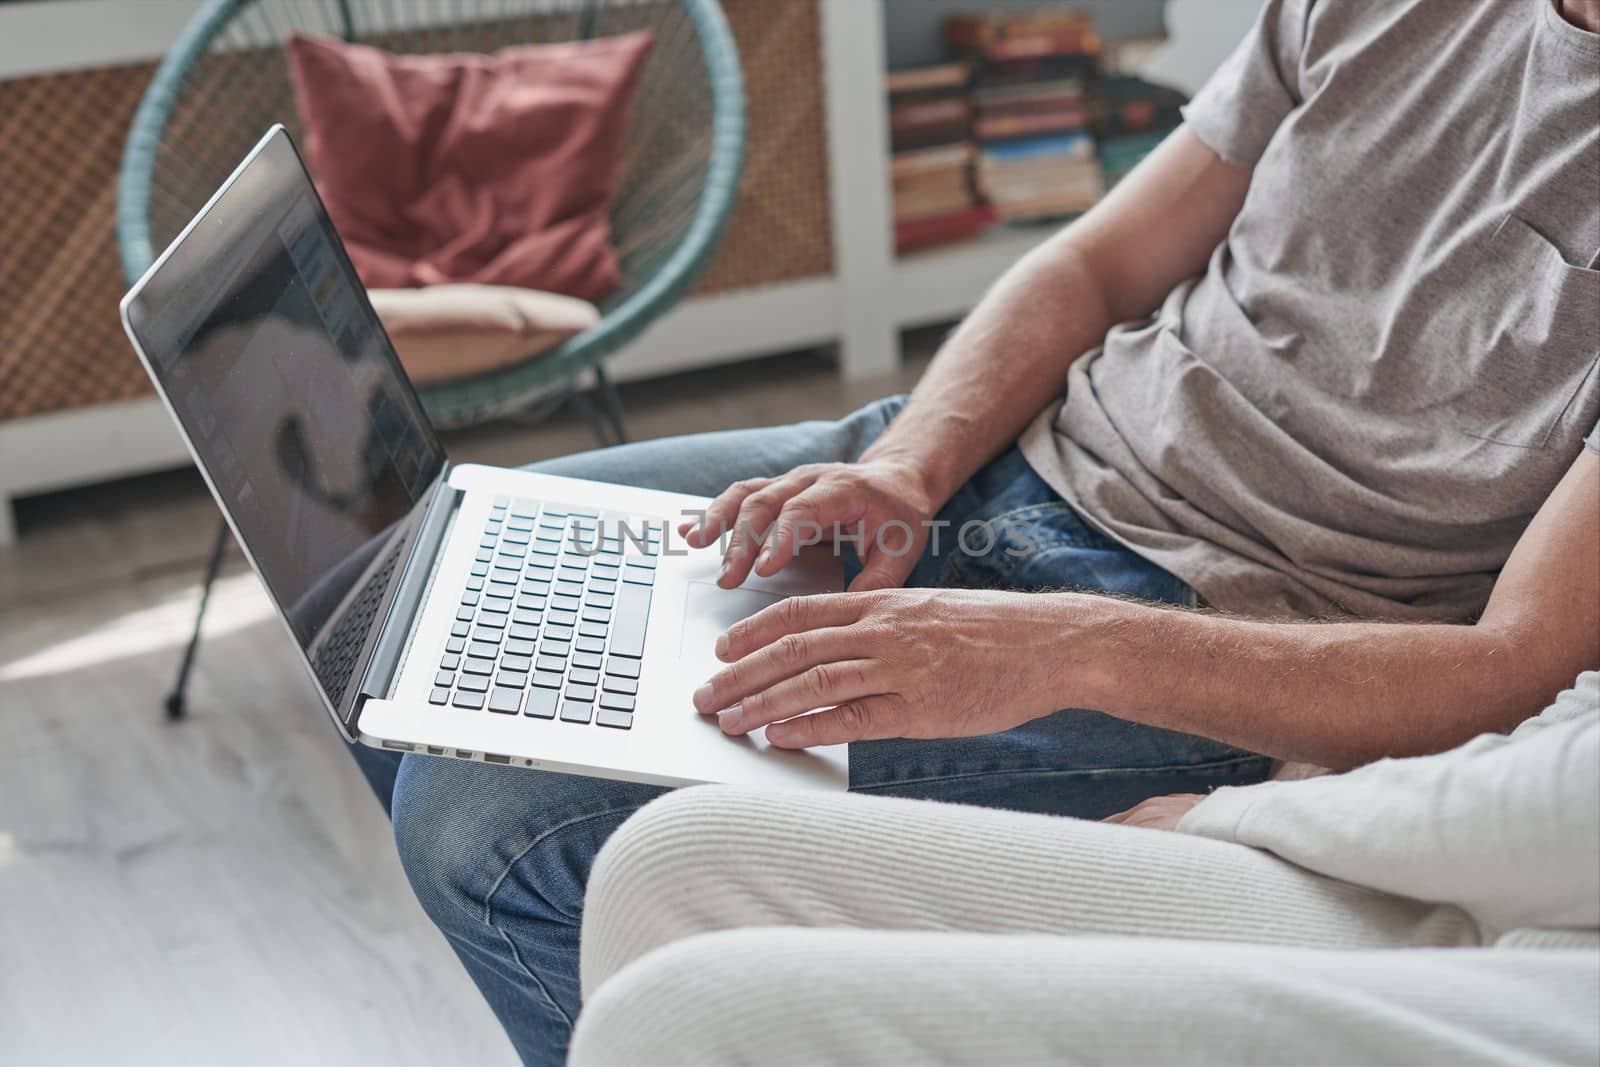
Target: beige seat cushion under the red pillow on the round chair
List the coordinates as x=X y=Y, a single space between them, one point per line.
x=447 y=332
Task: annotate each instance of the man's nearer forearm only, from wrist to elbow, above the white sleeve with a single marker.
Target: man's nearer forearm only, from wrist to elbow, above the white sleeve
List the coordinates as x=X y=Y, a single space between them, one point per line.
x=1337 y=695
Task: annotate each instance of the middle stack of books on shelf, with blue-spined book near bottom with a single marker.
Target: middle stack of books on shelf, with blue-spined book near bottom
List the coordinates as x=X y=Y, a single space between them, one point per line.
x=1033 y=122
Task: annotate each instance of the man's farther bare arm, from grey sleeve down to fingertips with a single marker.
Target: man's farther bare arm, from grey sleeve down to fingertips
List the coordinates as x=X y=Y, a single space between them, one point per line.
x=1006 y=364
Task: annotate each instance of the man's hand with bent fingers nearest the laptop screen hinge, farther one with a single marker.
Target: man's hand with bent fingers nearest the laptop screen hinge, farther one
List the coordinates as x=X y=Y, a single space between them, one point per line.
x=769 y=521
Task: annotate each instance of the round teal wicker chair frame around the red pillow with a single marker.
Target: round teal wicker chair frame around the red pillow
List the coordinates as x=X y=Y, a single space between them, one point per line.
x=226 y=81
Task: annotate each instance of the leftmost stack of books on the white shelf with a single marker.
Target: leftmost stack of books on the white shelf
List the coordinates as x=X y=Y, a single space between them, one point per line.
x=932 y=140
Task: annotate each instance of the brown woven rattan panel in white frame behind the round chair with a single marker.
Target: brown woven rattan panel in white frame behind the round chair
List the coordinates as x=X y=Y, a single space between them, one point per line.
x=62 y=140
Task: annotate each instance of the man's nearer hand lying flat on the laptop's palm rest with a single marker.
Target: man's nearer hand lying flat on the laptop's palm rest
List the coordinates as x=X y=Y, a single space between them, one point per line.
x=892 y=665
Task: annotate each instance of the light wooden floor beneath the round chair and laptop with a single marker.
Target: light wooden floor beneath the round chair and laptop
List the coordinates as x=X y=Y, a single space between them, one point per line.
x=225 y=890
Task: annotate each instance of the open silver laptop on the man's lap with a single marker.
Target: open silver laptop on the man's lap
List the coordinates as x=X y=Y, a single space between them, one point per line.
x=463 y=612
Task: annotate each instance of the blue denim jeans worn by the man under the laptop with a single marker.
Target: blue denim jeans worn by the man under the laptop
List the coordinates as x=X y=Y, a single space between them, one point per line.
x=500 y=857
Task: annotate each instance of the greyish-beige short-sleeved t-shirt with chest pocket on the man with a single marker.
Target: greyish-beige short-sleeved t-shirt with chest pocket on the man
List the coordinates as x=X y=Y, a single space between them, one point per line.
x=1396 y=354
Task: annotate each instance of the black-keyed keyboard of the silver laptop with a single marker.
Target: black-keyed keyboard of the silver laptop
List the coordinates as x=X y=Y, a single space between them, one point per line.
x=553 y=620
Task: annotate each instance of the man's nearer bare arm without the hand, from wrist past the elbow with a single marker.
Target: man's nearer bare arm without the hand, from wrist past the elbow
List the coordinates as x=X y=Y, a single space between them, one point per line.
x=1346 y=693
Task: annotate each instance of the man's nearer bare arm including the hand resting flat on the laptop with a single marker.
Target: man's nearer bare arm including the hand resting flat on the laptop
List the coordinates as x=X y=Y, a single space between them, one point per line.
x=961 y=663
